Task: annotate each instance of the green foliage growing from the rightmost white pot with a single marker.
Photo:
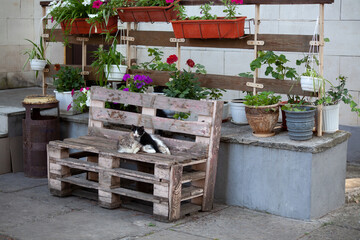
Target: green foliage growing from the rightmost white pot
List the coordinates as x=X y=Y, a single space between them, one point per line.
x=339 y=93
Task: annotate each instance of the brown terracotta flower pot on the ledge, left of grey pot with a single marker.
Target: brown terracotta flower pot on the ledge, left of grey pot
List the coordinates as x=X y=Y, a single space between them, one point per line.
x=262 y=119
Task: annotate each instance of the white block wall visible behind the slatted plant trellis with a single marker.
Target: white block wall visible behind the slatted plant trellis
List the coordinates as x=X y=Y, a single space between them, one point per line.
x=342 y=53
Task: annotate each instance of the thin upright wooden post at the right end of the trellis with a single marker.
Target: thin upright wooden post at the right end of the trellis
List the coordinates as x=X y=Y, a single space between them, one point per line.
x=321 y=67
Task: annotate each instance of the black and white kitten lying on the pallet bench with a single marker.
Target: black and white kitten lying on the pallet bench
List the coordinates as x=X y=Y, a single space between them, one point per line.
x=150 y=143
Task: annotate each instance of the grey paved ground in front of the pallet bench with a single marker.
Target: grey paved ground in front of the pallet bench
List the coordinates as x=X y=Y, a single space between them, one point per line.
x=28 y=211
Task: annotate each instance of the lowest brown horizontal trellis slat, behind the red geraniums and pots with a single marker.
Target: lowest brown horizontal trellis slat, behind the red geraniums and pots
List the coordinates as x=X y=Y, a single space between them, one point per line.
x=231 y=82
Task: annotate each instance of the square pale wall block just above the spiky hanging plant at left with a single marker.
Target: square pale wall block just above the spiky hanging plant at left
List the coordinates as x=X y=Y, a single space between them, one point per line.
x=19 y=30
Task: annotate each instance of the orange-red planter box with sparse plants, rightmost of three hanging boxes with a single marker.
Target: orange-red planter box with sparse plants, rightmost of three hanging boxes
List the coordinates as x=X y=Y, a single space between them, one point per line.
x=210 y=26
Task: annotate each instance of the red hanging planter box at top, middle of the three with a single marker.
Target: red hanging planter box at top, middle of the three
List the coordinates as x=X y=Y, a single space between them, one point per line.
x=148 y=14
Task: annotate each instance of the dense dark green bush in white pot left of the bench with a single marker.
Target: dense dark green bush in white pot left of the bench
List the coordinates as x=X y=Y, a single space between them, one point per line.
x=68 y=78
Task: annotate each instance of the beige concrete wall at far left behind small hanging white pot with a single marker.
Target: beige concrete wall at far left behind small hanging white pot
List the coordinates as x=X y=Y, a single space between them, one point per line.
x=20 y=19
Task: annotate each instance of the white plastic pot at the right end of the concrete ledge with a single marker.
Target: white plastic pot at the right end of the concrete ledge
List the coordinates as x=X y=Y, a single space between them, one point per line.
x=330 y=116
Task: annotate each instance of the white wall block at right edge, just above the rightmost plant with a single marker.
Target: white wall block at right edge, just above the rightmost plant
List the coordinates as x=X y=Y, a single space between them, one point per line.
x=350 y=68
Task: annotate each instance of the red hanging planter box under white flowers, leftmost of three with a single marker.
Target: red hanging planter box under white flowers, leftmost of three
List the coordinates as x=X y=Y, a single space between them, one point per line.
x=80 y=26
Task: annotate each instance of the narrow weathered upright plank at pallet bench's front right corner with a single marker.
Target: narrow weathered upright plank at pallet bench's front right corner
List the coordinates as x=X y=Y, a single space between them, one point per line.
x=175 y=193
